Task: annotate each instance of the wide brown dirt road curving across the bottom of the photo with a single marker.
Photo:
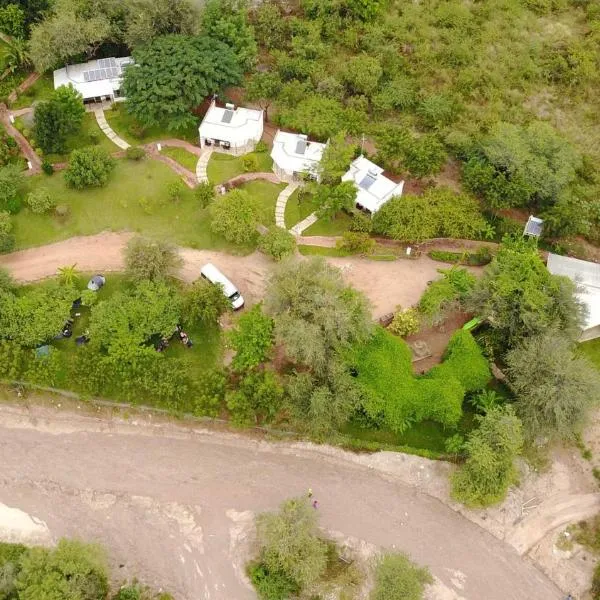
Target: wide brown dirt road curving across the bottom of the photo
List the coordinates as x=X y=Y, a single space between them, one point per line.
x=175 y=505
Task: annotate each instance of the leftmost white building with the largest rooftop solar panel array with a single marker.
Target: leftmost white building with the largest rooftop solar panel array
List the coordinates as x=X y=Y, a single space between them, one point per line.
x=97 y=80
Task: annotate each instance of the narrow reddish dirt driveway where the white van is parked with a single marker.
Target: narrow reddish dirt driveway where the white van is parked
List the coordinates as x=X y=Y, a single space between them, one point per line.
x=386 y=284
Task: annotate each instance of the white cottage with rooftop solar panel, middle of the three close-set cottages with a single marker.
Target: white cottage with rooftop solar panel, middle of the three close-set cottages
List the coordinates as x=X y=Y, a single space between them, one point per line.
x=295 y=157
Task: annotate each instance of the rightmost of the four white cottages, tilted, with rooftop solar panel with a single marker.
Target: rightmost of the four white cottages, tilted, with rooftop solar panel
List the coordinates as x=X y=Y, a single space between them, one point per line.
x=373 y=187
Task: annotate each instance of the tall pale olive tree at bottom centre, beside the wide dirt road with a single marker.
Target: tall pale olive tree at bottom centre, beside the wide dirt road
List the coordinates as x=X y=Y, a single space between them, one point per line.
x=289 y=542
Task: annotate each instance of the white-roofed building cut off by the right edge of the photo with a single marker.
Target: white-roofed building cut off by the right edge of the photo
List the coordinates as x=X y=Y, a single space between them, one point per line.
x=587 y=277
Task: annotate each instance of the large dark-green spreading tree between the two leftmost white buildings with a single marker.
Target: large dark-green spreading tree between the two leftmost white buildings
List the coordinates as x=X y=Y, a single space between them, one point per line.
x=175 y=73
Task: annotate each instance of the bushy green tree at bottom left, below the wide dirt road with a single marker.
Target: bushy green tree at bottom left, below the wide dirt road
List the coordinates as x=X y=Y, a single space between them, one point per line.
x=71 y=570
